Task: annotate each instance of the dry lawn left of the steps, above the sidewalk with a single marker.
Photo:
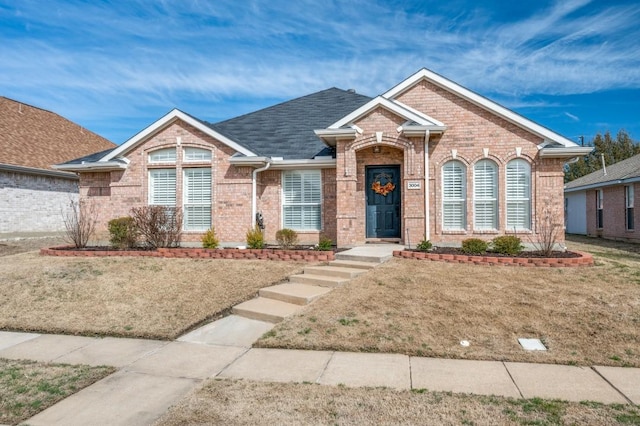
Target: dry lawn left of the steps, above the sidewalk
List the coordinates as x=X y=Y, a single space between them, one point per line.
x=136 y=297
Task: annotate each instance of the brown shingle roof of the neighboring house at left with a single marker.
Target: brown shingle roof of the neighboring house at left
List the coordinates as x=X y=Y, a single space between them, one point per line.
x=37 y=138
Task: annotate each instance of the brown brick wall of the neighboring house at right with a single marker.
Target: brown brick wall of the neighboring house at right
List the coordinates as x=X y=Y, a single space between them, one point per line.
x=613 y=214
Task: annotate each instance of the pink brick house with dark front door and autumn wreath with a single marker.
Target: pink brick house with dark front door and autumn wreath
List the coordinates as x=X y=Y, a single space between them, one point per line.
x=428 y=159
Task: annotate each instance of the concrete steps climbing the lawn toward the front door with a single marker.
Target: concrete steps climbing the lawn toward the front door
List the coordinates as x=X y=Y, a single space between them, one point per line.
x=280 y=301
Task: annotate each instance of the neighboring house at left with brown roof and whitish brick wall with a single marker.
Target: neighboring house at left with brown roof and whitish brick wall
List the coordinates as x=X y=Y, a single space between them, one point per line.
x=32 y=194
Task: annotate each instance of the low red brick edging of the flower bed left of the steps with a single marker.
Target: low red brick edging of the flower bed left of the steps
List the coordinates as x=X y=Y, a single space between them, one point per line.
x=198 y=253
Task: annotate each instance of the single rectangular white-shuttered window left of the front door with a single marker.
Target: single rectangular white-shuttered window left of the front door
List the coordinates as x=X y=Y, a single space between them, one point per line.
x=302 y=199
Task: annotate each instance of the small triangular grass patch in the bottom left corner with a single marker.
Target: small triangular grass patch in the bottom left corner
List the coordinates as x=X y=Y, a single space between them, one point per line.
x=28 y=387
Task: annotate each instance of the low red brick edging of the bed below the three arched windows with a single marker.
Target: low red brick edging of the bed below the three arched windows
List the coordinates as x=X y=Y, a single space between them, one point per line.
x=585 y=259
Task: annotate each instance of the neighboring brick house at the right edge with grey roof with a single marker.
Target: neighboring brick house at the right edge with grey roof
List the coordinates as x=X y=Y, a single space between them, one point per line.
x=602 y=203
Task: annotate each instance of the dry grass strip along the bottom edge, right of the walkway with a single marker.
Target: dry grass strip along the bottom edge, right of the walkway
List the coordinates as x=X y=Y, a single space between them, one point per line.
x=227 y=402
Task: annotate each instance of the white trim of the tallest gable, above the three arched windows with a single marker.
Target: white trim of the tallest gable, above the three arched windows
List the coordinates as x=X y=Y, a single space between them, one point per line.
x=479 y=100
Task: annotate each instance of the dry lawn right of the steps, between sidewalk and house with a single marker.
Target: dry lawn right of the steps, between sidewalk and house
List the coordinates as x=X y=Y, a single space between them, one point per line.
x=584 y=316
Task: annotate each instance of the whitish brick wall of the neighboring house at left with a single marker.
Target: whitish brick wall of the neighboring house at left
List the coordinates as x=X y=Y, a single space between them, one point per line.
x=30 y=203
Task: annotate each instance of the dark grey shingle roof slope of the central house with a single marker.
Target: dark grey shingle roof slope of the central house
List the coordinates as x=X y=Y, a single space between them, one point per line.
x=287 y=130
